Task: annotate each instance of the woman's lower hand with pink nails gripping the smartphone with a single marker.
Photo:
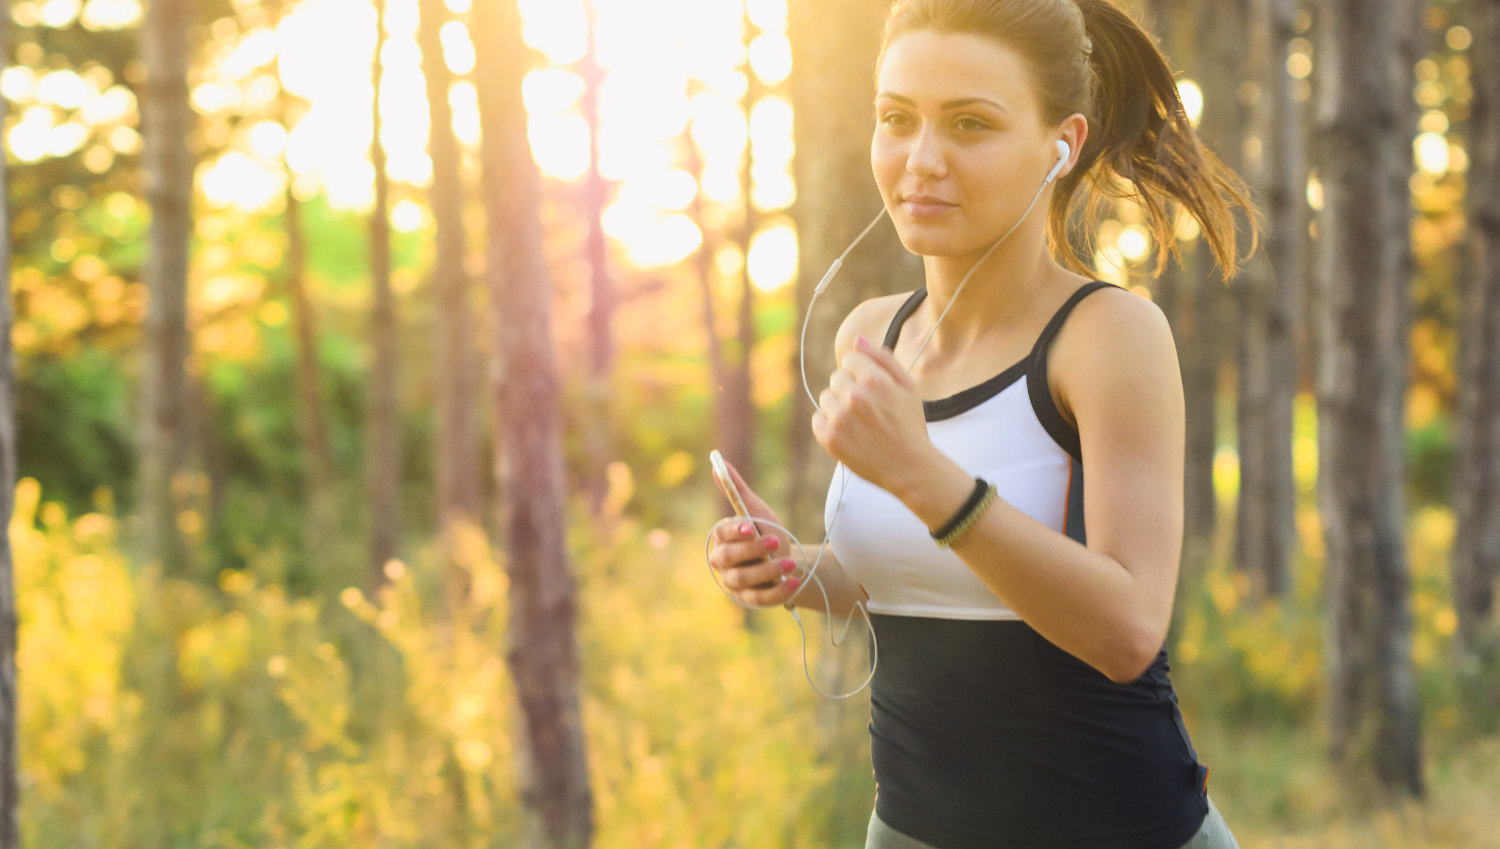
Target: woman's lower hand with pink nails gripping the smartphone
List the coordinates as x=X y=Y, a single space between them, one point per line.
x=755 y=569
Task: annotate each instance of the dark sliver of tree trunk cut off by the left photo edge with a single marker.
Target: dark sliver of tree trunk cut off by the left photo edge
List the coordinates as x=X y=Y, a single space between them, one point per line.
x=10 y=697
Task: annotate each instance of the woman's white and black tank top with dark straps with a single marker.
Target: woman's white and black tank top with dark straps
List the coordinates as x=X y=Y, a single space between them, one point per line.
x=983 y=734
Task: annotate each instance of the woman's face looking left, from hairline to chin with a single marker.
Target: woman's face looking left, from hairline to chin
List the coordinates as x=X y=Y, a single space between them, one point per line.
x=959 y=146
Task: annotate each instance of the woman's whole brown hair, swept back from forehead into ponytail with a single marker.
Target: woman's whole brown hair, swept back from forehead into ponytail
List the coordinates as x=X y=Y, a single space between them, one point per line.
x=1091 y=58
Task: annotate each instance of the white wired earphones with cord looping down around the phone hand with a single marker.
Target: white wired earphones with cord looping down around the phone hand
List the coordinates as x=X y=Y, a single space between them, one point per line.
x=811 y=577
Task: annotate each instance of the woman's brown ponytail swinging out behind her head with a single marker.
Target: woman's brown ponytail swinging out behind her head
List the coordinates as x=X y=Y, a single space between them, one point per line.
x=1145 y=148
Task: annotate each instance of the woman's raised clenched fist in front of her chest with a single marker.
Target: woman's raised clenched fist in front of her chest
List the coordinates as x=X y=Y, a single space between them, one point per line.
x=872 y=419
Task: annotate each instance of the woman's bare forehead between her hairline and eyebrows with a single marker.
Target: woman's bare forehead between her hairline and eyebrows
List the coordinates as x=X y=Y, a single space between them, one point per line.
x=935 y=68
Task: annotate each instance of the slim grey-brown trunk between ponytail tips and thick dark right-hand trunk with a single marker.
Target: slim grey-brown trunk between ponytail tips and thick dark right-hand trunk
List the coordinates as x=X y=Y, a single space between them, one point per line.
x=1268 y=365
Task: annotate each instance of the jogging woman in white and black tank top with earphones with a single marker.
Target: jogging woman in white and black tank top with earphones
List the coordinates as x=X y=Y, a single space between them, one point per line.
x=1022 y=695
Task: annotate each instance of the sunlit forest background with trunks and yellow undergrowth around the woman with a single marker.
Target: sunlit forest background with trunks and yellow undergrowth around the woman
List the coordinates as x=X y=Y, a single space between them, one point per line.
x=368 y=355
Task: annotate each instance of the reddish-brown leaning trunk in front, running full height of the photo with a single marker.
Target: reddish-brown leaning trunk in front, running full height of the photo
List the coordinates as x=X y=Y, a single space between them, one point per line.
x=544 y=652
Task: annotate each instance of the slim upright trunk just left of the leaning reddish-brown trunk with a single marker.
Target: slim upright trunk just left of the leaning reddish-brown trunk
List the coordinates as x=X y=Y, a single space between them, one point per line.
x=458 y=433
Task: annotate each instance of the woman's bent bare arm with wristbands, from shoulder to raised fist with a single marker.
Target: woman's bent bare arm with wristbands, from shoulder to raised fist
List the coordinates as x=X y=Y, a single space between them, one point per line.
x=1108 y=604
